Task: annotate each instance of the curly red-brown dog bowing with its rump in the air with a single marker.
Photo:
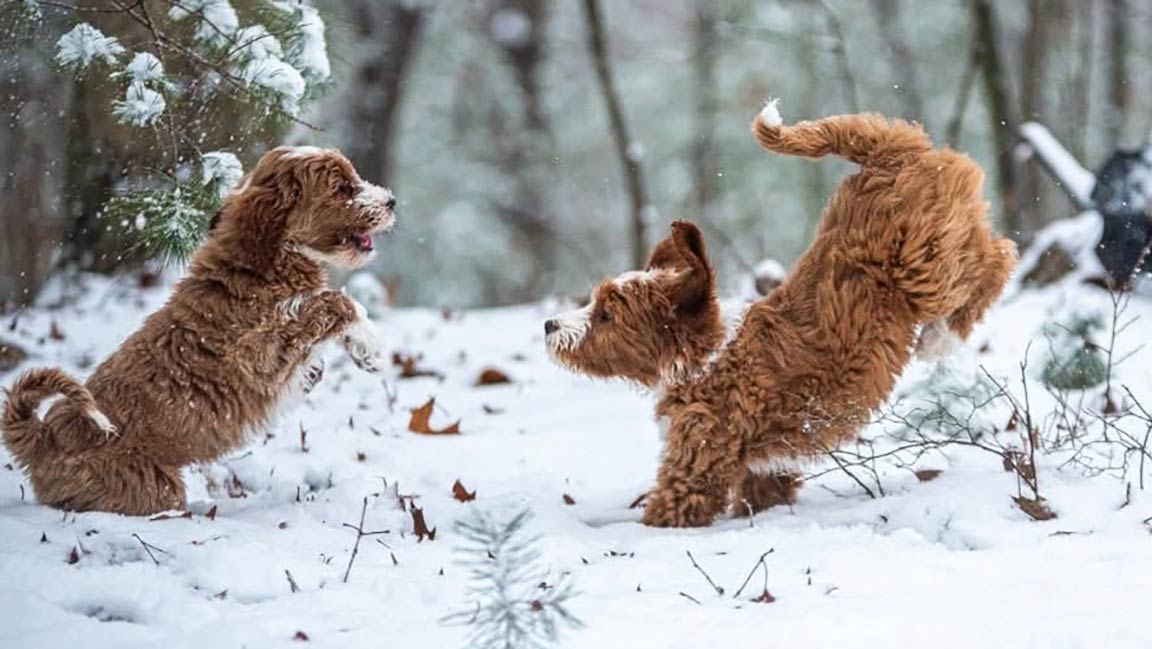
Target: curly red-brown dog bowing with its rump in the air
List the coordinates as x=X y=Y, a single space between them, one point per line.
x=905 y=245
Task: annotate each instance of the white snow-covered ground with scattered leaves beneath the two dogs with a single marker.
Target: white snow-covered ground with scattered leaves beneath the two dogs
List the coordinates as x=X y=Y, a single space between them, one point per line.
x=948 y=563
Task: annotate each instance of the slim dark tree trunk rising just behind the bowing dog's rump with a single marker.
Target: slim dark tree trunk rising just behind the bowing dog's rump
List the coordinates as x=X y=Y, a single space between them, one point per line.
x=1003 y=118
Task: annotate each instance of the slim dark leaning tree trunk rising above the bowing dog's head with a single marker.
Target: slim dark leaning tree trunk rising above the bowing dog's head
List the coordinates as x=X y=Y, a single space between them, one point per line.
x=626 y=149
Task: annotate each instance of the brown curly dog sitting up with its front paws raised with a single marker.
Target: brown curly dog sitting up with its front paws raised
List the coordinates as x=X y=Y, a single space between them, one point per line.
x=232 y=342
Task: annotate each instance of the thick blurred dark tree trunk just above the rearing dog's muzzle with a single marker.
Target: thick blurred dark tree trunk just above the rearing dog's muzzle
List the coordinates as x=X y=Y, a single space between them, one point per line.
x=378 y=85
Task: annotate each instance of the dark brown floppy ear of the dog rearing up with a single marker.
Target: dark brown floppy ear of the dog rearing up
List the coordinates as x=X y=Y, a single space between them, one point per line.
x=255 y=218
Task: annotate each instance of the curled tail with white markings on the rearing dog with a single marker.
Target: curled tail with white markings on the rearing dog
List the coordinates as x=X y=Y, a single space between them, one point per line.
x=24 y=432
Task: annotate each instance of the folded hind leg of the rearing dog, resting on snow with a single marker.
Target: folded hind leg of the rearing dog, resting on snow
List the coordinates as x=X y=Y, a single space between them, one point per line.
x=119 y=482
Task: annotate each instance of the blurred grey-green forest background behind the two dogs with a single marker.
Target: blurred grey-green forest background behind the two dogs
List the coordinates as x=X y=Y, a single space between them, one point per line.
x=537 y=146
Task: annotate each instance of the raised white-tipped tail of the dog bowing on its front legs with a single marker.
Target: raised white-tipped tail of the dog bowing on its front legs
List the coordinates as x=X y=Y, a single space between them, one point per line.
x=863 y=139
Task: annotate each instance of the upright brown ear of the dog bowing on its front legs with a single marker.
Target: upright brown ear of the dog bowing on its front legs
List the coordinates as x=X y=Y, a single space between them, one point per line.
x=694 y=285
